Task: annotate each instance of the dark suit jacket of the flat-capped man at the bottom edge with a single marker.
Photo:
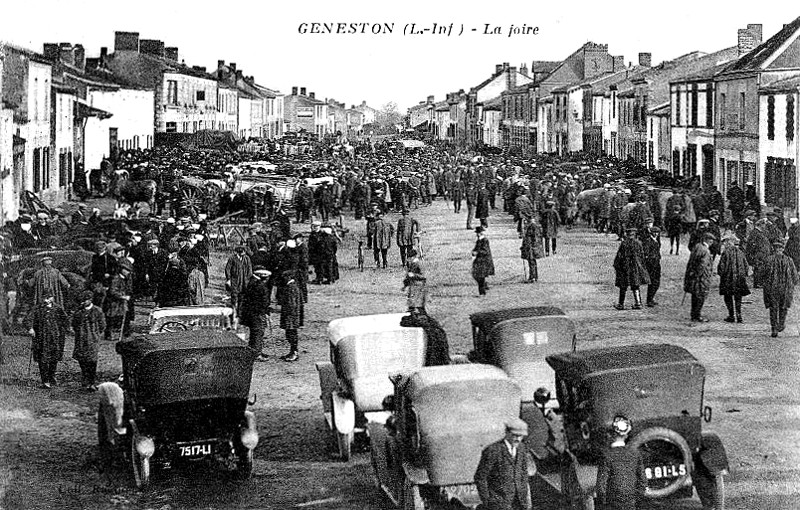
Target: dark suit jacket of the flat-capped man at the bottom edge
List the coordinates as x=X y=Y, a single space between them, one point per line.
x=501 y=480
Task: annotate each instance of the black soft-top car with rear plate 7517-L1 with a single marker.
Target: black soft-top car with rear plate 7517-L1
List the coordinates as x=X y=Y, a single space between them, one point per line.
x=183 y=398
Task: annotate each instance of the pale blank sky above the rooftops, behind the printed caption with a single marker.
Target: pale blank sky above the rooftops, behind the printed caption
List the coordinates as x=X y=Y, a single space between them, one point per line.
x=264 y=37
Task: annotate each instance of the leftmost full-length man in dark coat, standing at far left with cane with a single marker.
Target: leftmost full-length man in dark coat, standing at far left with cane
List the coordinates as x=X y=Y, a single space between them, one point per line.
x=48 y=325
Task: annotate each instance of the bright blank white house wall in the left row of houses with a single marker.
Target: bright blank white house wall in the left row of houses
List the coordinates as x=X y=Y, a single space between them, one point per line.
x=132 y=115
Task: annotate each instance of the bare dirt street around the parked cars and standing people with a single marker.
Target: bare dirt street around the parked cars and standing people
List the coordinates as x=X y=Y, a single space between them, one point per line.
x=49 y=454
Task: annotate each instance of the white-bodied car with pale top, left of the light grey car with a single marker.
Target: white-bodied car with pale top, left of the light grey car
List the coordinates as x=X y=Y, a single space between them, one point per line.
x=363 y=351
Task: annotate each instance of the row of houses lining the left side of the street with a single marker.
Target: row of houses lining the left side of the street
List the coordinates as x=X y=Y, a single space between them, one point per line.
x=61 y=111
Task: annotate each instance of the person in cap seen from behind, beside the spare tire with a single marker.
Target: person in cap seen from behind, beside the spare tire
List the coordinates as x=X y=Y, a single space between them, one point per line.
x=621 y=478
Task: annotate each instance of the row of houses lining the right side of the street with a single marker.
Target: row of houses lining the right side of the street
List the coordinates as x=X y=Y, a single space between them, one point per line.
x=724 y=116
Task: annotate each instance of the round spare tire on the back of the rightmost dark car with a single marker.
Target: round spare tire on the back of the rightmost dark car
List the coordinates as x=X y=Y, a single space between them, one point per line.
x=667 y=460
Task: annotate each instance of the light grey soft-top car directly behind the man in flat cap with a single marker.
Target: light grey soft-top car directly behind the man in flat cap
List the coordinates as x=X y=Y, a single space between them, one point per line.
x=442 y=418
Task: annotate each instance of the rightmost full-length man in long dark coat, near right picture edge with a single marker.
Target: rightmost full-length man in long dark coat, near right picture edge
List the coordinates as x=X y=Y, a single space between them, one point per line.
x=780 y=278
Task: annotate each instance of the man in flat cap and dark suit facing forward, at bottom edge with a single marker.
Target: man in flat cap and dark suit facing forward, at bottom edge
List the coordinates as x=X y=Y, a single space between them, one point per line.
x=502 y=474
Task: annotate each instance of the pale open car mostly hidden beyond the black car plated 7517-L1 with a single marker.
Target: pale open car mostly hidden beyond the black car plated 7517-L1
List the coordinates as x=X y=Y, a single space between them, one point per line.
x=172 y=319
